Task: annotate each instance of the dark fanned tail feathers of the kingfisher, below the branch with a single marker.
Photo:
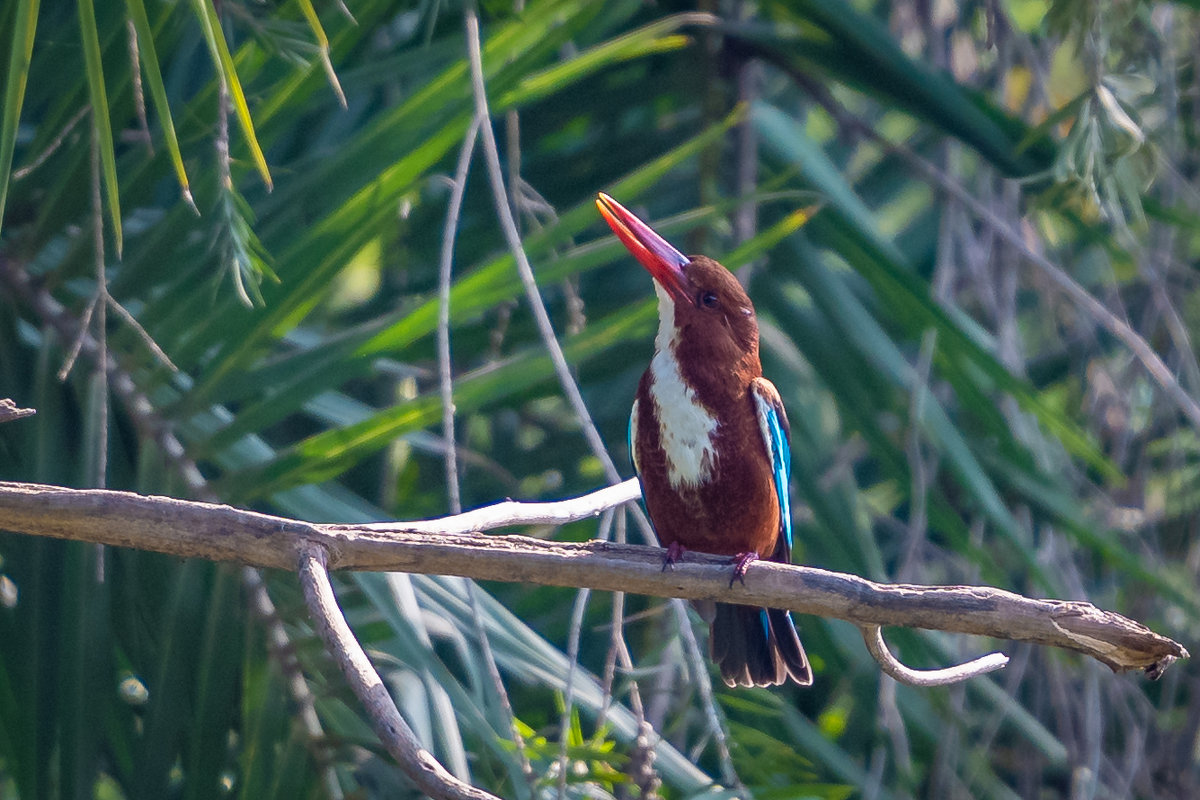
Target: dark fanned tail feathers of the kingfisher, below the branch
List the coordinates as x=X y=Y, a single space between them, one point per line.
x=758 y=647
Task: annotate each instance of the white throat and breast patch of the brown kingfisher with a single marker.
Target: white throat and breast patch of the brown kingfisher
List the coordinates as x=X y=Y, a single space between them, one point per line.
x=686 y=426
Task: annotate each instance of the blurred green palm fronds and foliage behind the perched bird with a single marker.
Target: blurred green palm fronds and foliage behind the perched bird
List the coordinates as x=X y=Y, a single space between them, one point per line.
x=983 y=339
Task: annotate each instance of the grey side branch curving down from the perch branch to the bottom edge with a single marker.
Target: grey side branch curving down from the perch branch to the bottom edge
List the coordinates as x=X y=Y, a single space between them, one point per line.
x=418 y=763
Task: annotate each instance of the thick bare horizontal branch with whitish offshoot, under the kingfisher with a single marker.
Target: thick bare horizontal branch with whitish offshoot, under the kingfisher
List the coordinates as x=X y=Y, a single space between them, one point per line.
x=226 y=534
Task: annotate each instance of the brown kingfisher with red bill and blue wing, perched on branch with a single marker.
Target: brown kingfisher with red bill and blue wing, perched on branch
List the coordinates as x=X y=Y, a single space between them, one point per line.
x=711 y=443
